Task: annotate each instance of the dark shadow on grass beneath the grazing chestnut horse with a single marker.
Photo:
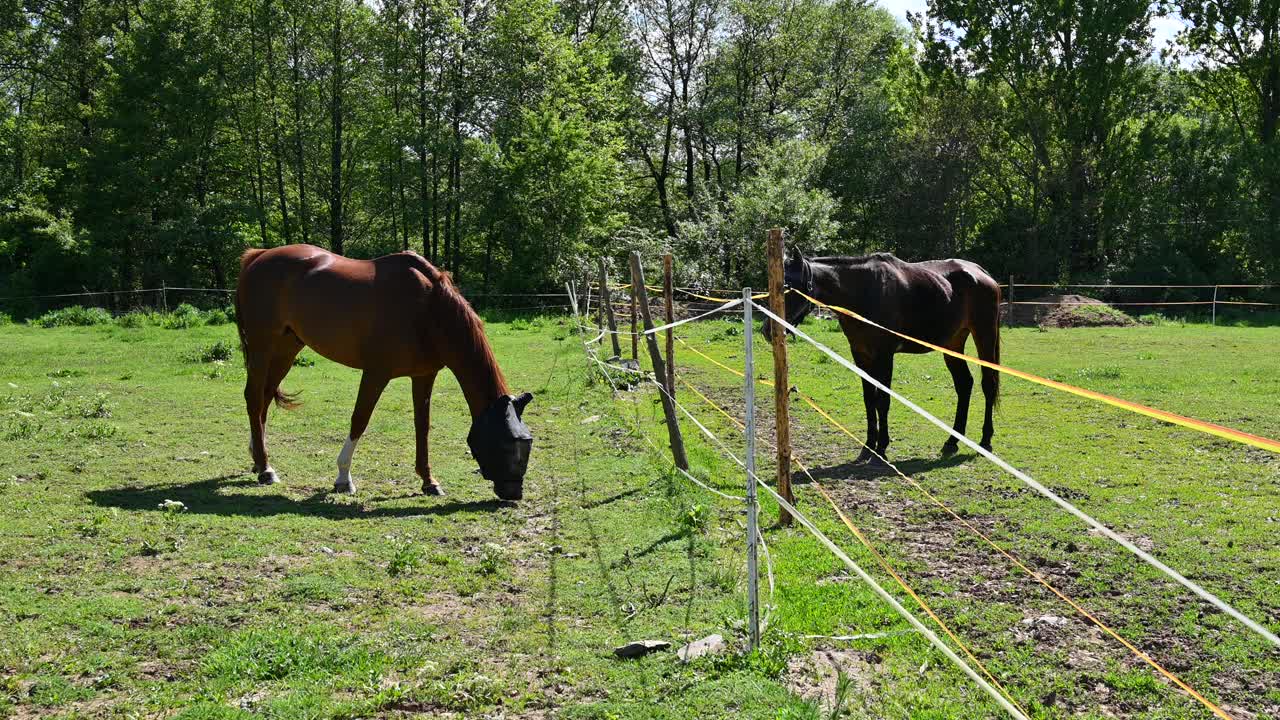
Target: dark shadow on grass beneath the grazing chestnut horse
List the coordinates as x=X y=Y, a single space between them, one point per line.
x=212 y=498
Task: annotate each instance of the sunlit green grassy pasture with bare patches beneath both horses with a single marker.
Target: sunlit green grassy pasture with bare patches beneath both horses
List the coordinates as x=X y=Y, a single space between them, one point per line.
x=290 y=603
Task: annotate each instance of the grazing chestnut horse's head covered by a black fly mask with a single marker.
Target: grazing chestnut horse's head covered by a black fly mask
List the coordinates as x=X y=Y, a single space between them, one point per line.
x=501 y=443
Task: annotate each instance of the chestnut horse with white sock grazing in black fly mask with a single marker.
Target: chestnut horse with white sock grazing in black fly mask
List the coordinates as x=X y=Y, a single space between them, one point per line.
x=394 y=317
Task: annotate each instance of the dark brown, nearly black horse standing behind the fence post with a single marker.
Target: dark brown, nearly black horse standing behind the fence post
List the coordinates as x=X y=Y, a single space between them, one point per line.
x=939 y=302
